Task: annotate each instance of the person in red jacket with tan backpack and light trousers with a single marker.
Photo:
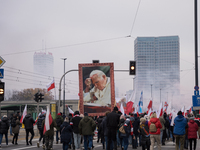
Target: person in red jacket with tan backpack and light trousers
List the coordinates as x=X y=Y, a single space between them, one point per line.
x=154 y=136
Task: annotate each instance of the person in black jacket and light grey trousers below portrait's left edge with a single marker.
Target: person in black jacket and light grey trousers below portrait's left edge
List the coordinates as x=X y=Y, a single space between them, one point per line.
x=74 y=122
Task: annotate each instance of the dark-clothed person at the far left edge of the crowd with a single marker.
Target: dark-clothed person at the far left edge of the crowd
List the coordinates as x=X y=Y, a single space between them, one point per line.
x=4 y=126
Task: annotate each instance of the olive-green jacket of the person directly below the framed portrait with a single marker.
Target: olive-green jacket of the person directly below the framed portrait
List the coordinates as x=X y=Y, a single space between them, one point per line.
x=87 y=126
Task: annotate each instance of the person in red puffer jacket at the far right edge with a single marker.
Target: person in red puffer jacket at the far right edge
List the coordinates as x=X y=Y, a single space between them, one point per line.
x=192 y=132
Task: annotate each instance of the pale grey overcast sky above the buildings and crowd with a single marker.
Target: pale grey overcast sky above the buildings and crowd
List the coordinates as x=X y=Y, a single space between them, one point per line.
x=86 y=30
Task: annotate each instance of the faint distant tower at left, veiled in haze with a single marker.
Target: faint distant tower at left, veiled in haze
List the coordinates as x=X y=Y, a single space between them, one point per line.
x=43 y=63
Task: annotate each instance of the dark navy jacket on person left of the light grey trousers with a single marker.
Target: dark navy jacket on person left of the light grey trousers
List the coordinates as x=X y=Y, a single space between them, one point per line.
x=66 y=132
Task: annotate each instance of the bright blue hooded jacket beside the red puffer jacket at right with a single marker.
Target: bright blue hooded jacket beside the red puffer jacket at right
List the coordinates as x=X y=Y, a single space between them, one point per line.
x=180 y=124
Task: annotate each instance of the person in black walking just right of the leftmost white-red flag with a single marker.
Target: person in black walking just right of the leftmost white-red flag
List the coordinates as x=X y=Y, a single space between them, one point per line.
x=28 y=123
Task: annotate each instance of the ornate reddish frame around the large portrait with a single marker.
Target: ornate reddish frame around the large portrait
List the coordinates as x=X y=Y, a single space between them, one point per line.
x=81 y=105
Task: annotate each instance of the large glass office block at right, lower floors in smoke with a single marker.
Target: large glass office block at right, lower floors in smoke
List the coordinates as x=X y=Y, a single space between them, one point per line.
x=157 y=68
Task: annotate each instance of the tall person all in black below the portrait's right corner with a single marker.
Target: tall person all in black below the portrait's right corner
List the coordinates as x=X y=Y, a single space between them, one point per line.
x=112 y=125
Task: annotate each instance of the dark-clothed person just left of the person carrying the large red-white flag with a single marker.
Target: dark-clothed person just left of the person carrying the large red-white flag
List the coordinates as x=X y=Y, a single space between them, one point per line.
x=39 y=126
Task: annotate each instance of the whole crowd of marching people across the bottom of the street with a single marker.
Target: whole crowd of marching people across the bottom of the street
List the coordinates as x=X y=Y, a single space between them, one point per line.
x=115 y=130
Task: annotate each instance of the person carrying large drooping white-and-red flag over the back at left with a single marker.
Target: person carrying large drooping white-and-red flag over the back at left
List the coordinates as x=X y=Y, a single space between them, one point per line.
x=48 y=124
